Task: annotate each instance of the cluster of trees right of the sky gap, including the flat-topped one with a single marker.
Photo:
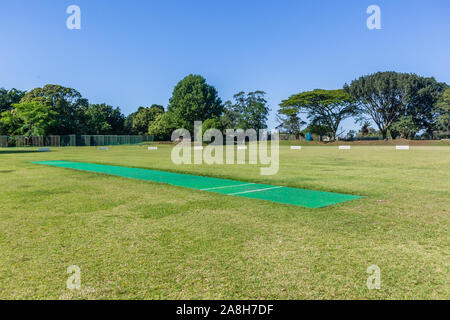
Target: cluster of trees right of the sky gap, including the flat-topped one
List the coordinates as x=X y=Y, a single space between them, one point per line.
x=399 y=104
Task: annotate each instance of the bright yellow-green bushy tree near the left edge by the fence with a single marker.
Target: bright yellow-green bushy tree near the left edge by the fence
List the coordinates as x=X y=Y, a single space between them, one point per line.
x=30 y=118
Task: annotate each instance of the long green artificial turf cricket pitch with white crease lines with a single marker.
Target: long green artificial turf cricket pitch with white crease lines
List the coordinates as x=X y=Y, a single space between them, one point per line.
x=286 y=195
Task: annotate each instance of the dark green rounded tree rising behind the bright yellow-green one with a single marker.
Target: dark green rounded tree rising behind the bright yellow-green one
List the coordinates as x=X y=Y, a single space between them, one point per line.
x=68 y=103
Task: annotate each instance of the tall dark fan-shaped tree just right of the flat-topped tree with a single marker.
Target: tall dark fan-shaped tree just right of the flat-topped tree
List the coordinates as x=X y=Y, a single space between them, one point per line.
x=387 y=96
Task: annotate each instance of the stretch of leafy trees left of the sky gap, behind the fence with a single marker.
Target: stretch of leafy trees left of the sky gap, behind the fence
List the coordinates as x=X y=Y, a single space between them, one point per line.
x=57 y=110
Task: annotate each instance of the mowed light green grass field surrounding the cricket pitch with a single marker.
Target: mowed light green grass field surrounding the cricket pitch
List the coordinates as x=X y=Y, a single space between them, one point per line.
x=140 y=240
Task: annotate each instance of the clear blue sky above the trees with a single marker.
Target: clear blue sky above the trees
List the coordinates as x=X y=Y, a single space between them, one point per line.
x=132 y=53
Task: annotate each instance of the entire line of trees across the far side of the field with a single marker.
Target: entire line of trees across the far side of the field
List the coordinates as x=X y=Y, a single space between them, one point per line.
x=399 y=104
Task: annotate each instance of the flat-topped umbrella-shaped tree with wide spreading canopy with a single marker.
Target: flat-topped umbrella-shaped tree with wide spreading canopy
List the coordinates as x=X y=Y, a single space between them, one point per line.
x=323 y=107
